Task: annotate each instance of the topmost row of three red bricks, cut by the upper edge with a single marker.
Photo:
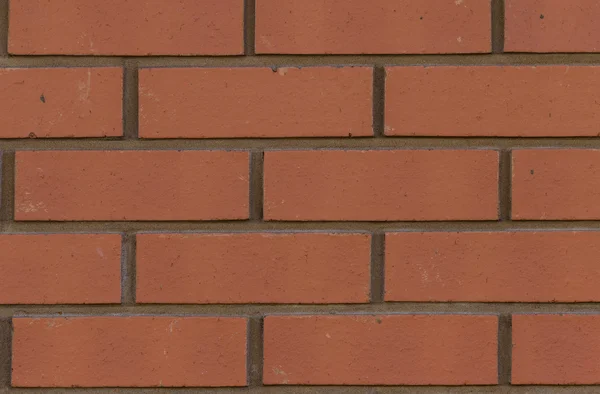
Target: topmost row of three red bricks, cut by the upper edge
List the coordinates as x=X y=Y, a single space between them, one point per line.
x=186 y=27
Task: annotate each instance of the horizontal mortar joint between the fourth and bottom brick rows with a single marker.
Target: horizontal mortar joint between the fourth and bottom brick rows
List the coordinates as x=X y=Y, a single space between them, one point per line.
x=467 y=308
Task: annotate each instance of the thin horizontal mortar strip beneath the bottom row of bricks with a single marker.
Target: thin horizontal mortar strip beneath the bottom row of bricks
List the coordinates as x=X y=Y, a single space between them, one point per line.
x=334 y=389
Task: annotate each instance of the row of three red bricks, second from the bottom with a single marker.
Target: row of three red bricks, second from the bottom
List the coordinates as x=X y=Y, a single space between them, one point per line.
x=302 y=267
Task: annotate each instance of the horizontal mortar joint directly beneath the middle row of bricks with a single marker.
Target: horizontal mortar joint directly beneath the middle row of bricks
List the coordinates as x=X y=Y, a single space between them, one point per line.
x=254 y=226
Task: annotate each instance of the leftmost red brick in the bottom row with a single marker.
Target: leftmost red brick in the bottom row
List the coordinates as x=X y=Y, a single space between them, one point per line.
x=129 y=351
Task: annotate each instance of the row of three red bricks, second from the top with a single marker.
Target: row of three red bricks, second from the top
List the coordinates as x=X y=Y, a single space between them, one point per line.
x=258 y=102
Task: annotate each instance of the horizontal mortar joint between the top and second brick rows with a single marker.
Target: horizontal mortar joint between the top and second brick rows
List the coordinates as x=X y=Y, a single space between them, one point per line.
x=302 y=60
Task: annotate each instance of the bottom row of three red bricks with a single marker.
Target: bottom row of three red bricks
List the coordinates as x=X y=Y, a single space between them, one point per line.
x=395 y=349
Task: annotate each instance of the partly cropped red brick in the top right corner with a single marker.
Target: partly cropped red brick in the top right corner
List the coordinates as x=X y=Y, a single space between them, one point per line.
x=552 y=26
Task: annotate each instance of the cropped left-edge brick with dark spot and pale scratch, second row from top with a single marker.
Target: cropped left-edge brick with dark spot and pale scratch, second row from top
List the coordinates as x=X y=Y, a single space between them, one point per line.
x=61 y=102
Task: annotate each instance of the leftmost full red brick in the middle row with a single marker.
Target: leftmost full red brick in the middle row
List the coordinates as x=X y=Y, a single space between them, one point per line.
x=131 y=185
